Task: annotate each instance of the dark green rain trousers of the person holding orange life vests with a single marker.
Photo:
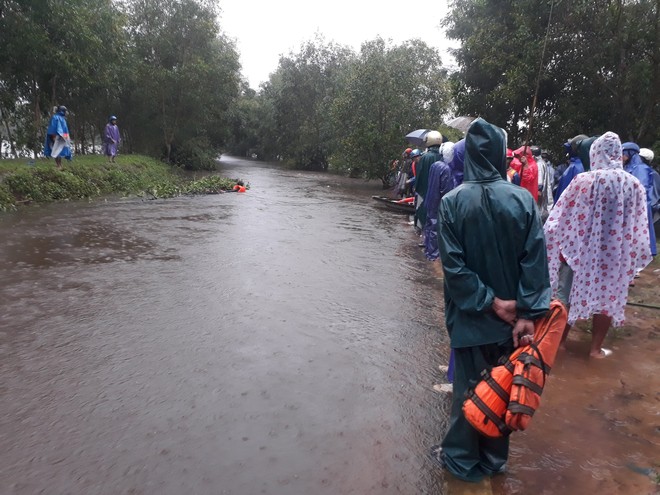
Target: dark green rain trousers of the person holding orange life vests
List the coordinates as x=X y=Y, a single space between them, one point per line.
x=467 y=454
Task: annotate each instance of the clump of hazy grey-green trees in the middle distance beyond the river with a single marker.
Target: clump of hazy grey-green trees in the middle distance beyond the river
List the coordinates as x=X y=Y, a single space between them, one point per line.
x=329 y=107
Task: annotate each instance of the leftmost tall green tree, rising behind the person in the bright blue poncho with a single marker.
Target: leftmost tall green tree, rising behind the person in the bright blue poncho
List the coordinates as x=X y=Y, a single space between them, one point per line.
x=51 y=53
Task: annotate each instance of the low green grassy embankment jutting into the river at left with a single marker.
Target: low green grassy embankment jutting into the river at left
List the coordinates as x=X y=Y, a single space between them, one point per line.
x=39 y=181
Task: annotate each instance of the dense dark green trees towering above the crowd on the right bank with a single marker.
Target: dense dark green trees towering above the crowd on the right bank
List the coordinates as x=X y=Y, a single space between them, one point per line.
x=600 y=71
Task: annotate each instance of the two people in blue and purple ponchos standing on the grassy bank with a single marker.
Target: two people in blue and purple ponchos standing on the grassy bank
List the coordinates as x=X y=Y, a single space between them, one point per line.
x=58 y=141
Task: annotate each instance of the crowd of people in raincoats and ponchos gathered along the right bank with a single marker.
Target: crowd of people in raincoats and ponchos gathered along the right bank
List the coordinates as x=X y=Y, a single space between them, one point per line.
x=513 y=231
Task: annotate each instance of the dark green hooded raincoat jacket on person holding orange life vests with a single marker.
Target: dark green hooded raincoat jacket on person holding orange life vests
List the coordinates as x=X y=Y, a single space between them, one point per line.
x=491 y=244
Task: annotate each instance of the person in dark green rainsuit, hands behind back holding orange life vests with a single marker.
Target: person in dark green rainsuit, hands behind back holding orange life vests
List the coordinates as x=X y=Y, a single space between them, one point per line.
x=496 y=284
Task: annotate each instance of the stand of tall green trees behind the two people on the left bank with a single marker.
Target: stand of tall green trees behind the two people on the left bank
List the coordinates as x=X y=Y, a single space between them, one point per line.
x=162 y=66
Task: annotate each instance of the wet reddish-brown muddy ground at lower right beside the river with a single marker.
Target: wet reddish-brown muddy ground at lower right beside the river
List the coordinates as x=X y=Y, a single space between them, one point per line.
x=598 y=428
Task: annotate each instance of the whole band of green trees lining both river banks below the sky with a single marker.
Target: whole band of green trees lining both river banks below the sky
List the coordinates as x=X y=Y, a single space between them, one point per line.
x=172 y=76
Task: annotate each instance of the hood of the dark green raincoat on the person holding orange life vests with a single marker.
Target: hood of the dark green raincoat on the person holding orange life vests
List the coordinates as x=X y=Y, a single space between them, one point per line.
x=485 y=151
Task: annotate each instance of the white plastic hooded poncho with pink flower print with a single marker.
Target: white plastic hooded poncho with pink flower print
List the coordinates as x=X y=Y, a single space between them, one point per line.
x=600 y=227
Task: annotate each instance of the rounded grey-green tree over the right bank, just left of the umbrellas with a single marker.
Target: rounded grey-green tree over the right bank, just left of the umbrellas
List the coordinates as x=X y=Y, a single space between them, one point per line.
x=389 y=91
